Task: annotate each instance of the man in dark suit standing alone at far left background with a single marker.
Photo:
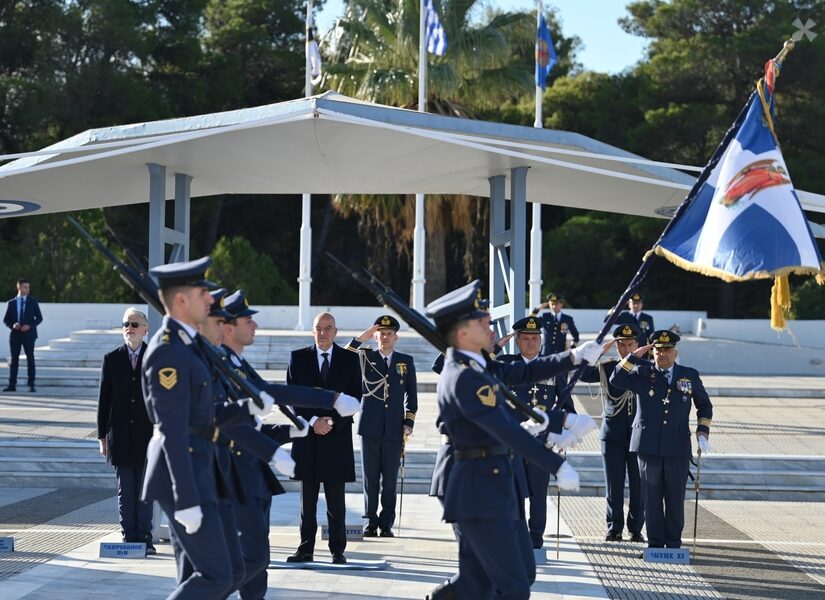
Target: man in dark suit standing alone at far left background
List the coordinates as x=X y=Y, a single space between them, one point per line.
x=22 y=318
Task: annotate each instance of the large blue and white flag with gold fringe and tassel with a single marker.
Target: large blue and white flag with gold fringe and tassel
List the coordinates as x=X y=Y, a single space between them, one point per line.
x=745 y=221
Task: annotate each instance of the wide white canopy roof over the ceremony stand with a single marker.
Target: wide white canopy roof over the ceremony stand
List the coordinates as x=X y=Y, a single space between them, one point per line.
x=334 y=144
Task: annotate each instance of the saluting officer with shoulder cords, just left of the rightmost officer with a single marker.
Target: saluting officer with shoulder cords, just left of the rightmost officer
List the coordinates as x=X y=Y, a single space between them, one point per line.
x=618 y=413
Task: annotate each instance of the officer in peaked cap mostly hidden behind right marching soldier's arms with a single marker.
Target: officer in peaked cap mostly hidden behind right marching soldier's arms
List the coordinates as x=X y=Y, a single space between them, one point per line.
x=540 y=395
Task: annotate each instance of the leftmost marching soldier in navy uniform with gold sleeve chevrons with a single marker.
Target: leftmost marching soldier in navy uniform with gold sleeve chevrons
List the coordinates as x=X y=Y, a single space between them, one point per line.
x=180 y=472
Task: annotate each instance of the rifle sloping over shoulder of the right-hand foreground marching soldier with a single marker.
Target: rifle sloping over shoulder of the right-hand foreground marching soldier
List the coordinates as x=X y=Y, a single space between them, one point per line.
x=389 y=298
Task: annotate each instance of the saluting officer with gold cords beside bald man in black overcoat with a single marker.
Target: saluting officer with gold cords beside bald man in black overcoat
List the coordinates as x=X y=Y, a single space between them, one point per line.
x=388 y=407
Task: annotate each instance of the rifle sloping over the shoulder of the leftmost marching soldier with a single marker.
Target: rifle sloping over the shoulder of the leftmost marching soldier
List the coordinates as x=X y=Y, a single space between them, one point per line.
x=142 y=284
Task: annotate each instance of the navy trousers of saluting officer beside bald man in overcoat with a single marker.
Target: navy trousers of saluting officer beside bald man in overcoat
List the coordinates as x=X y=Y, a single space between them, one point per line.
x=380 y=461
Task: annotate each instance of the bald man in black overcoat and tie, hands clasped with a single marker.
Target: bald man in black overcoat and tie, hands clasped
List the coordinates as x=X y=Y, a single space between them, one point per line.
x=325 y=455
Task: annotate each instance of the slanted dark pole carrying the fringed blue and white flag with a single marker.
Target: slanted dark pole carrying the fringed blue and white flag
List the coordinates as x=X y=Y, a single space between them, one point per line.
x=640 y=275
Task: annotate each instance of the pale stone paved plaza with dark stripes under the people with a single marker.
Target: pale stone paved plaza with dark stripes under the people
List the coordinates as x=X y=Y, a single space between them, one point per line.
x=758 y=548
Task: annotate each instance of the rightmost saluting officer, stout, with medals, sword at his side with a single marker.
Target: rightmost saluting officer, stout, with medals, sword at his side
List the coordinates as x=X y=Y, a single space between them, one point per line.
x=664 y=393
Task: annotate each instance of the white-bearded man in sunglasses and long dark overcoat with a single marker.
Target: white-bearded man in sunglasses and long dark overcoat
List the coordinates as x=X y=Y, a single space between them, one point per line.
x=124 y=429
